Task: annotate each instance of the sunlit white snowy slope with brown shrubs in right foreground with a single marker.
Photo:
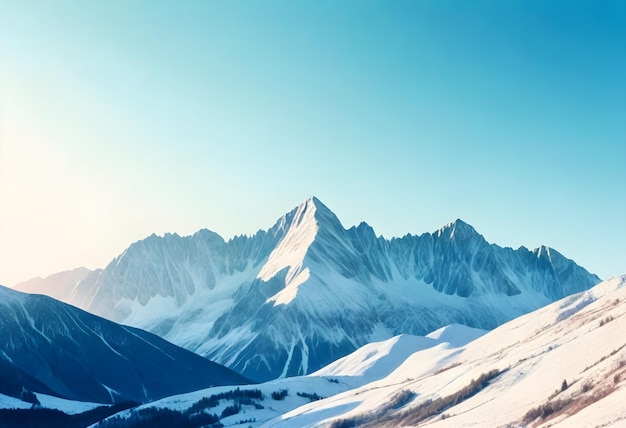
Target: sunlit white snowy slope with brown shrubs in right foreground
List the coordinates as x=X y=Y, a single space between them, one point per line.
x=578 y=340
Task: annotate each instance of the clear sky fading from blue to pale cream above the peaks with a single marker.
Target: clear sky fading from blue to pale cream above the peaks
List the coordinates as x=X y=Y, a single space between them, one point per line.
x=123 y=118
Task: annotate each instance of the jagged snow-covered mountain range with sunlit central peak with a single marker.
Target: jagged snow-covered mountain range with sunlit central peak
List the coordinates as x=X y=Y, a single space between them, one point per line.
x=289 y=300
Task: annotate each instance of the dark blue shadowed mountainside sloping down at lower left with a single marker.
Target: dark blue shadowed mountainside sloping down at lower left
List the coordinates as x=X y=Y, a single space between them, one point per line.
x=53 y=348
